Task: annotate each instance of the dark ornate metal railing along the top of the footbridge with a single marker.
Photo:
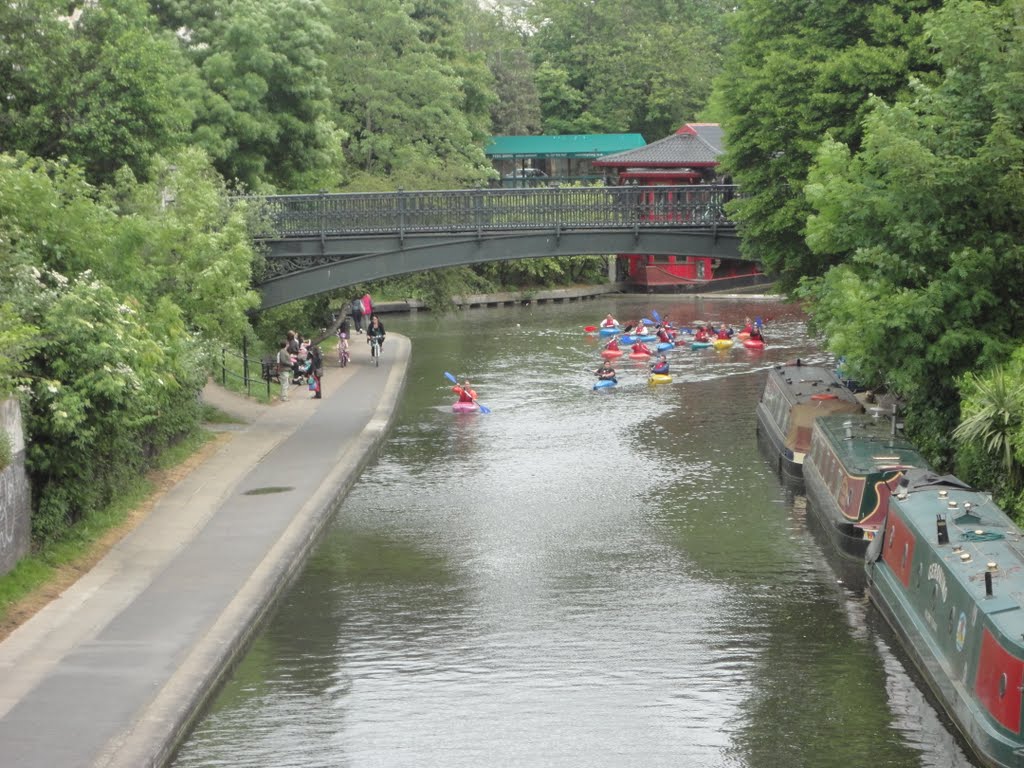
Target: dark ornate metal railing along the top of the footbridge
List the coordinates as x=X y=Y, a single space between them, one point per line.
x=490 y=210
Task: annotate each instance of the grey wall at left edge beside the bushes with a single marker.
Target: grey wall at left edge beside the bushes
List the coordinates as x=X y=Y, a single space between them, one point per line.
x=16 y=498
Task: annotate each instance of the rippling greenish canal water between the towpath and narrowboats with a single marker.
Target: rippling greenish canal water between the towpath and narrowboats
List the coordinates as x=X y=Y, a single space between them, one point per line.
x=579 y=579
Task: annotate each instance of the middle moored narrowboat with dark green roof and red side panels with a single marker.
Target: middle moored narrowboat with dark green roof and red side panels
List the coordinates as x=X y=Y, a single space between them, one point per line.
x=855 y=463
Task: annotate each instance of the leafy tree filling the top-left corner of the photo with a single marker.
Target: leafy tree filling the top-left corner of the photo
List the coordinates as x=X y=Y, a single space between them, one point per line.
x=104 y=88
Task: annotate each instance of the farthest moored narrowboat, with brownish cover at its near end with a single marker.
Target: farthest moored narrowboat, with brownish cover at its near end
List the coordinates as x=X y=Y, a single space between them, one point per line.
x=793 y=398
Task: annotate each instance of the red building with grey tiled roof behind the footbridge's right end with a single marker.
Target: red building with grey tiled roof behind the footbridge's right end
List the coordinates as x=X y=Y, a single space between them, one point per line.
x=691 y=156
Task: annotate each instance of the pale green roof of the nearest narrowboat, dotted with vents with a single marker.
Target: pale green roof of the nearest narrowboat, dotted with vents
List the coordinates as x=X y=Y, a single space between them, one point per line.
x=983 y=538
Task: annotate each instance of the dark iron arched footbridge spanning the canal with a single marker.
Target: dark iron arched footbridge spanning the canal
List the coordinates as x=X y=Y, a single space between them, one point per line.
x=318 y=243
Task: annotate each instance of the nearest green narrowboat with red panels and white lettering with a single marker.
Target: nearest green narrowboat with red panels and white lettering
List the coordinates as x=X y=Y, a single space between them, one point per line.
x=948 y=573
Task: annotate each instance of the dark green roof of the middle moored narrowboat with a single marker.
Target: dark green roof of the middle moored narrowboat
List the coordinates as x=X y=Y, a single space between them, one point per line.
x=866 y=445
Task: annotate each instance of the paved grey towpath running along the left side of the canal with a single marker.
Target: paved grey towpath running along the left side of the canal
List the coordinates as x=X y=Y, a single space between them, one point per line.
x=114 y=671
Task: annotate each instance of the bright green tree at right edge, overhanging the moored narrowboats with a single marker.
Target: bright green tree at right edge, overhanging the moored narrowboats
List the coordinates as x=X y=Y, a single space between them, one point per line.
x=930 y=209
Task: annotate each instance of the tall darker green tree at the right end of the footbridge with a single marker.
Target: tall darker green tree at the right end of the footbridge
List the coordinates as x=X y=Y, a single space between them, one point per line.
x=796 y=72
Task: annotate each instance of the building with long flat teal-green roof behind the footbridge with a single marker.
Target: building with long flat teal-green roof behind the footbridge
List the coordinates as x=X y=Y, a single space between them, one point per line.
x=530 y=160
